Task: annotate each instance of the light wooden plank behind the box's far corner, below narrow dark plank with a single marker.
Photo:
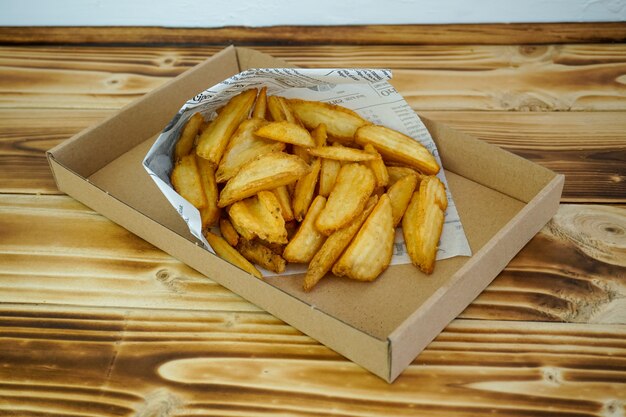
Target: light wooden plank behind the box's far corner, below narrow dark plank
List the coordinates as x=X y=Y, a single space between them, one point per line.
x=477 y=77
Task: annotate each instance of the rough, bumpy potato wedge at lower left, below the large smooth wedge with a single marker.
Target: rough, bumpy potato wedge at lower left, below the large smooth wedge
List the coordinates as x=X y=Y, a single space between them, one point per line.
x=259 y=216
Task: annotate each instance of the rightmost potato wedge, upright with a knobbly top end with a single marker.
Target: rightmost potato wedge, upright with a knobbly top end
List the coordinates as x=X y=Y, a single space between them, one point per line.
x=422 y=223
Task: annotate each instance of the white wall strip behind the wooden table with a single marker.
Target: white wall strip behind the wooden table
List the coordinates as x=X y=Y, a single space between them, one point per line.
x=217 y=13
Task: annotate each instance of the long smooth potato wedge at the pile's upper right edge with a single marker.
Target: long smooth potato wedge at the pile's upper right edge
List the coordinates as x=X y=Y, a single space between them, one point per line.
x=396 y=146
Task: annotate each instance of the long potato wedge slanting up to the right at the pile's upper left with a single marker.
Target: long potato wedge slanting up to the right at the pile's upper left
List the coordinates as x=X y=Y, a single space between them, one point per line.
x=213 y=141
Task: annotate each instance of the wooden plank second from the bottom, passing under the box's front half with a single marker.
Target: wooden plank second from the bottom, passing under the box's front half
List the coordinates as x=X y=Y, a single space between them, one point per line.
x=572 y=271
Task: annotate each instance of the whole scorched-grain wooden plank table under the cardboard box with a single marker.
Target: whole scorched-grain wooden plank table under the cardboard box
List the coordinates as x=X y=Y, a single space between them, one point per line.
x=94 y=320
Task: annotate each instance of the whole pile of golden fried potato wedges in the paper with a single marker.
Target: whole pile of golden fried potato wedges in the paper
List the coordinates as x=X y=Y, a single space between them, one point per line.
x=289 y=180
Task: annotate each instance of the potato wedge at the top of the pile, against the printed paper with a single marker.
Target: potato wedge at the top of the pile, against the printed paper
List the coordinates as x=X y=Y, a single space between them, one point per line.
x=341 y=123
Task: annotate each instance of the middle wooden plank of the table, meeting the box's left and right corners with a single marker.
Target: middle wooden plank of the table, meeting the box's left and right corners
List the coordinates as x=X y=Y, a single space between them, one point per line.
x=587 y=147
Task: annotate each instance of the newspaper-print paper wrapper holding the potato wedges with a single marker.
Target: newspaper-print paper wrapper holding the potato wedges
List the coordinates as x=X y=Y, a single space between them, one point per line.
x=366 y=91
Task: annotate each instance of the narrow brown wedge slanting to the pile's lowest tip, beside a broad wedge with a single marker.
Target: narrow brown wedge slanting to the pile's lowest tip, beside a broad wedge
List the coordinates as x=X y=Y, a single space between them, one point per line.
x=334 y=246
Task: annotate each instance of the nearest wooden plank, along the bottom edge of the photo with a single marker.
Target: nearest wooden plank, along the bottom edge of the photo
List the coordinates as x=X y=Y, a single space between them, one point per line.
x=140 y=362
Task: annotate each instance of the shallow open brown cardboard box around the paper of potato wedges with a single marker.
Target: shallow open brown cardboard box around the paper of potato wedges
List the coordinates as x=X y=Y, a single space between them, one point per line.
x=503 y=201
